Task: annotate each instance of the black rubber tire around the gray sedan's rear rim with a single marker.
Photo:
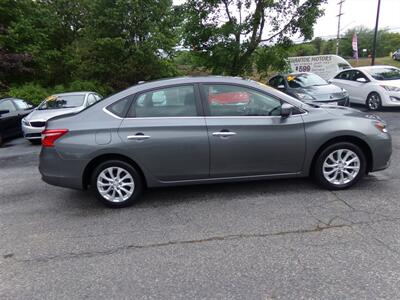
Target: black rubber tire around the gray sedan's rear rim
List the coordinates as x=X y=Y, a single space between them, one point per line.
x=137 y=188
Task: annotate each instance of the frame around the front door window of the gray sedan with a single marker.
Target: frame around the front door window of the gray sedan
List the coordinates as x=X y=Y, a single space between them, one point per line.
x=207 y=111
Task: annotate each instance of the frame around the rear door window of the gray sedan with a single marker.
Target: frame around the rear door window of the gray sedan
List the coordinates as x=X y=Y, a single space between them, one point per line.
x=198 y=104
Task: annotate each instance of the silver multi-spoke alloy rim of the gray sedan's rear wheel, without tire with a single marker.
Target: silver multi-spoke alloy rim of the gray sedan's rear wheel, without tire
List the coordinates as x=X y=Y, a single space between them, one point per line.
x=115 y=184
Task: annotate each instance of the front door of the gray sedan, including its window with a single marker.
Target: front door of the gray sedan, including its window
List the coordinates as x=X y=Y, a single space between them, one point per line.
x=247 y=134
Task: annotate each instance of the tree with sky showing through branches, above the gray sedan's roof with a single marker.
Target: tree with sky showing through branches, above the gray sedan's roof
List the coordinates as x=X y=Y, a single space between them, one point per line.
x=224 y=34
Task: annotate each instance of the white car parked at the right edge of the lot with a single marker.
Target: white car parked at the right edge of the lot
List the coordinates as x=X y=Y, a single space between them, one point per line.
x=374 y=86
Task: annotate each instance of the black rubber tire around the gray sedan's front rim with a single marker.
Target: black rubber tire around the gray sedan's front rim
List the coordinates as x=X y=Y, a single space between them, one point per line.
x=331 y=149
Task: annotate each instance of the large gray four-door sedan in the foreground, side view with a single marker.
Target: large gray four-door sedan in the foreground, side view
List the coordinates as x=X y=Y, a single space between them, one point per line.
x=207 y=130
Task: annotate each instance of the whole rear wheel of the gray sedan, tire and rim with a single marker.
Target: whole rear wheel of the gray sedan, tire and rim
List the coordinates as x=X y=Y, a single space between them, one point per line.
x=116 y=183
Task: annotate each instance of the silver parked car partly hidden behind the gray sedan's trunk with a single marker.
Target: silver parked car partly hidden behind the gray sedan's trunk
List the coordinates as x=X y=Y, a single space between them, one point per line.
x=55 y=105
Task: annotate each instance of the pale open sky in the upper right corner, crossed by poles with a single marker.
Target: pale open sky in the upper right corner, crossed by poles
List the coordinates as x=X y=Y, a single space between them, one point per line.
x=355 y=13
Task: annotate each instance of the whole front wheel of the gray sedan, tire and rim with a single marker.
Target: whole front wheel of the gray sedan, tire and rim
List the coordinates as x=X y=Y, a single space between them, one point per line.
x=340 y=166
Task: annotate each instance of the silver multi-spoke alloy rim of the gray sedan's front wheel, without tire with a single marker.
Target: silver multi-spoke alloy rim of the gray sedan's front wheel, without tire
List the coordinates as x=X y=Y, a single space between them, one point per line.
x=341 y=166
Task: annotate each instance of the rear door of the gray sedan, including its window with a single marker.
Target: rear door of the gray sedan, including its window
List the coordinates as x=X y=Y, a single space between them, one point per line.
x=166 y=134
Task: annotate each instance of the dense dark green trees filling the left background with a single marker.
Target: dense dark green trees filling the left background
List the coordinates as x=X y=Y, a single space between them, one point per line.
x=113 y=43
